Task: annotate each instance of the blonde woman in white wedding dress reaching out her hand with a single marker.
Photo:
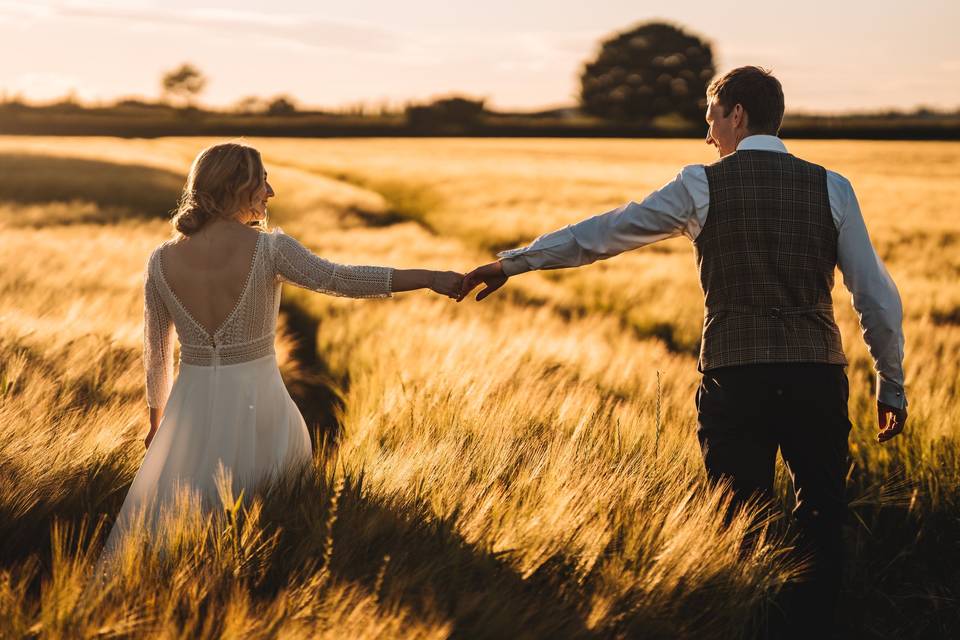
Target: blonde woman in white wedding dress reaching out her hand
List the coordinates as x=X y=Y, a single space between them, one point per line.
x=218 y=283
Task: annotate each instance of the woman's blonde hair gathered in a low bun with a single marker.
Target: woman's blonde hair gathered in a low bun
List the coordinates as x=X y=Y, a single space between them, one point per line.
x=223 y=180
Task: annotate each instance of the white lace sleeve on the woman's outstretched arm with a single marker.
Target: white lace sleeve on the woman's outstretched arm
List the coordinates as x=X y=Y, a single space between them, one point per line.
x=296 y=264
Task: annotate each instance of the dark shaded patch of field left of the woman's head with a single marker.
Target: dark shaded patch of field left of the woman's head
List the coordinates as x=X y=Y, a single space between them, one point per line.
x=116 y=191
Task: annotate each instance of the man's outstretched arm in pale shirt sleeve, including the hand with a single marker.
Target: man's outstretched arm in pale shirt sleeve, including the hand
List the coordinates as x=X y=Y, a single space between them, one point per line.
x=676 y=208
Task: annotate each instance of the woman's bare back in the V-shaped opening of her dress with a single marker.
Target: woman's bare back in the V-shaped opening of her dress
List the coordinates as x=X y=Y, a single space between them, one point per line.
x=209 y=270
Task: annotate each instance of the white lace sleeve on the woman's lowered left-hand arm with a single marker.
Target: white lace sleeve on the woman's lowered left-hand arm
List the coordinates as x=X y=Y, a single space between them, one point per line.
x=157 y=340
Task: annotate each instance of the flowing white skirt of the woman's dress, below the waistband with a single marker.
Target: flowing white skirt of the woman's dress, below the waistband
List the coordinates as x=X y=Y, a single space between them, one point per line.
x=236 y=418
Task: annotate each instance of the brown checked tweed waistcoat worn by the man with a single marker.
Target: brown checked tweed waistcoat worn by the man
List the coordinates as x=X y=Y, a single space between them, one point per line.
x=766 y=256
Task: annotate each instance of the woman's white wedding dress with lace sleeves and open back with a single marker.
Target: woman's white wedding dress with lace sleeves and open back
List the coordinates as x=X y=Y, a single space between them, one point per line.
x=228 y=405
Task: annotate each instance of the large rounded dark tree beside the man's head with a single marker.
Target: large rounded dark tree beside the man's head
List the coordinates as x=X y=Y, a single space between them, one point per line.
x=651 y=70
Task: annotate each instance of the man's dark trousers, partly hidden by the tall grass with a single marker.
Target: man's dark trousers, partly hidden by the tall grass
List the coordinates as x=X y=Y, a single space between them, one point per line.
x=745 y=413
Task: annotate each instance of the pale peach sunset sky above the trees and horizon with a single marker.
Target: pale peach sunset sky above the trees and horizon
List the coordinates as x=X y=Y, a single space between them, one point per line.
x=830 y=56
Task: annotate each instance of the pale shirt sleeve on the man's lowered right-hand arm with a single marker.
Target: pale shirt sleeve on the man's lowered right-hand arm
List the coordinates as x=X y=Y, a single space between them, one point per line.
x=873 y=292
